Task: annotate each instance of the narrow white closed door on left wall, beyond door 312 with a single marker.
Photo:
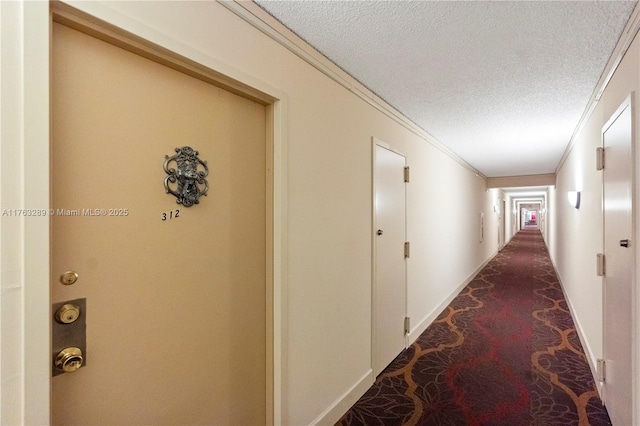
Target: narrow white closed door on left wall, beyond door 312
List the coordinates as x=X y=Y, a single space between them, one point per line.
x=390 y=264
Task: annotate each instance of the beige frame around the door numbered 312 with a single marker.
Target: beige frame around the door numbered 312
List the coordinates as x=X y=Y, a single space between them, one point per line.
x=31 y=187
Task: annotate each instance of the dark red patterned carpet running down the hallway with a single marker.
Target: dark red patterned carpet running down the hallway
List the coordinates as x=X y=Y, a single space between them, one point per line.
x=504 y=352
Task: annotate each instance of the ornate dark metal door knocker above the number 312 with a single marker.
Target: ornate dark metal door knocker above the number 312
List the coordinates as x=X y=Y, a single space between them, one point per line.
x=191 y=181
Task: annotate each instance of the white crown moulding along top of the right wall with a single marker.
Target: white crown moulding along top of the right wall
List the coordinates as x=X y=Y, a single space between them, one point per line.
x=629 y=33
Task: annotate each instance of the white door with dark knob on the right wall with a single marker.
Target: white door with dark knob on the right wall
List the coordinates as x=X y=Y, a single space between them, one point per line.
x=618 y=293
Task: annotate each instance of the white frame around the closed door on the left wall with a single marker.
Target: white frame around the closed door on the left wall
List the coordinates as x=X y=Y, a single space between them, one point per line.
x=377 y=142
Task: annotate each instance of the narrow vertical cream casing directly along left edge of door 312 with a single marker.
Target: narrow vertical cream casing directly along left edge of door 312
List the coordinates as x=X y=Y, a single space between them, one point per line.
x=36 y=194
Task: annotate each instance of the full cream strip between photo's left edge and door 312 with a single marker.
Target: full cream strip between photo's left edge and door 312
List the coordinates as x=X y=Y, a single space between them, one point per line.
x=24 y=299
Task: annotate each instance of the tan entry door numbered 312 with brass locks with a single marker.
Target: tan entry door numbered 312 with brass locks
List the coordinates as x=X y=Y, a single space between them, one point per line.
x=175 y=296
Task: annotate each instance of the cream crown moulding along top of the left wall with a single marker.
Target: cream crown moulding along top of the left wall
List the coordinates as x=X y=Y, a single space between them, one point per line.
x=262 y=21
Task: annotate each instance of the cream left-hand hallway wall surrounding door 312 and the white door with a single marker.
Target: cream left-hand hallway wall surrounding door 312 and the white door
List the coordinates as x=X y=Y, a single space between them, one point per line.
x=329 y=130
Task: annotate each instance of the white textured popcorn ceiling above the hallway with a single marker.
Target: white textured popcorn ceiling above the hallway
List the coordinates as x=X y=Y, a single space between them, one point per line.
x=503 y=84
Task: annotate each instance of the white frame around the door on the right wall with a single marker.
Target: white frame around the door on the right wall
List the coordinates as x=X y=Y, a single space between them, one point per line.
x=629 y=102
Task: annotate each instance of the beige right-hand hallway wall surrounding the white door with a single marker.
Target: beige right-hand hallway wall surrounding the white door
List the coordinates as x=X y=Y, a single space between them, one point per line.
x=576 y=235
